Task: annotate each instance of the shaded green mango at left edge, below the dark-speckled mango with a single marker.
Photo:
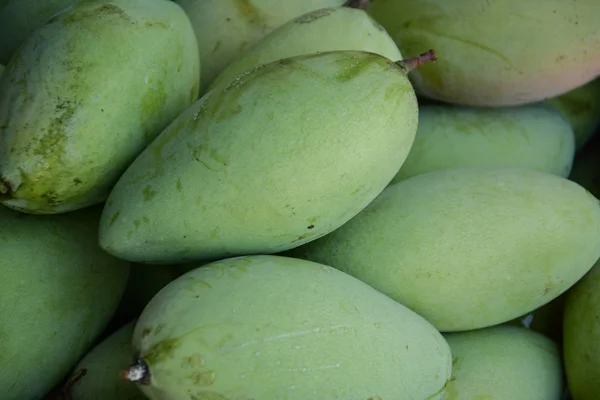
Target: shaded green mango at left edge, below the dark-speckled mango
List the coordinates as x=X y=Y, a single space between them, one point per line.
x=58 y=293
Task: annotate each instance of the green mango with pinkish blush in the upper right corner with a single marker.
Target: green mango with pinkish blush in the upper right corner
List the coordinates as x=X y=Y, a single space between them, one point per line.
x=483 y=56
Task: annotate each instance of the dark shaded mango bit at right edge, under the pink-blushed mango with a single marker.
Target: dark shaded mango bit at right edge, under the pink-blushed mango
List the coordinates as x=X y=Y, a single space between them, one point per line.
x=582 y=108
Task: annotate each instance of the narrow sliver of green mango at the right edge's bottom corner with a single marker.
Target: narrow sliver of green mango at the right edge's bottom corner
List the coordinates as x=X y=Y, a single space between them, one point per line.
x=581 y=333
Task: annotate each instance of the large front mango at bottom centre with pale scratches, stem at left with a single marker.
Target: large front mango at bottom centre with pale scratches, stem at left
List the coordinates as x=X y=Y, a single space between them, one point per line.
x=270 y=327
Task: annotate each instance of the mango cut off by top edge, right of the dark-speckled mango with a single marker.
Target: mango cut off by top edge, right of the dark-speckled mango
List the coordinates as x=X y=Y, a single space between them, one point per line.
x=226 y=28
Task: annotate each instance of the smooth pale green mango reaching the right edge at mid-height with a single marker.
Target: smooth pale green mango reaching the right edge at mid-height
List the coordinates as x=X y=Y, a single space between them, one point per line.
x=512 y=239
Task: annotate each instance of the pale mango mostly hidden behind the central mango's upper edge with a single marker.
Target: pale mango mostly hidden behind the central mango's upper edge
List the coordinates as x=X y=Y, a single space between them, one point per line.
x=327 y=29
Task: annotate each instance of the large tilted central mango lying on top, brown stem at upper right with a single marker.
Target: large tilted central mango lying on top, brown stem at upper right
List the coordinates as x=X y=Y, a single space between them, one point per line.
x=276 y=159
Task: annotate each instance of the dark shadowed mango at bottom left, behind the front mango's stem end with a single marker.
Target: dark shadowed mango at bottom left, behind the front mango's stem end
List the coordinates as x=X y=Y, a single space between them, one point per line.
x=98 y=375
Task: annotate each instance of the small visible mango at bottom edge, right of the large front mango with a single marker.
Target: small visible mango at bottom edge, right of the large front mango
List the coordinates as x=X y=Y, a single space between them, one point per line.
x=502 y=363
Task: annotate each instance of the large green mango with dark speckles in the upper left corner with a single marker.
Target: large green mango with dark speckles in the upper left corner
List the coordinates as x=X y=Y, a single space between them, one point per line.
x=102 y=79
